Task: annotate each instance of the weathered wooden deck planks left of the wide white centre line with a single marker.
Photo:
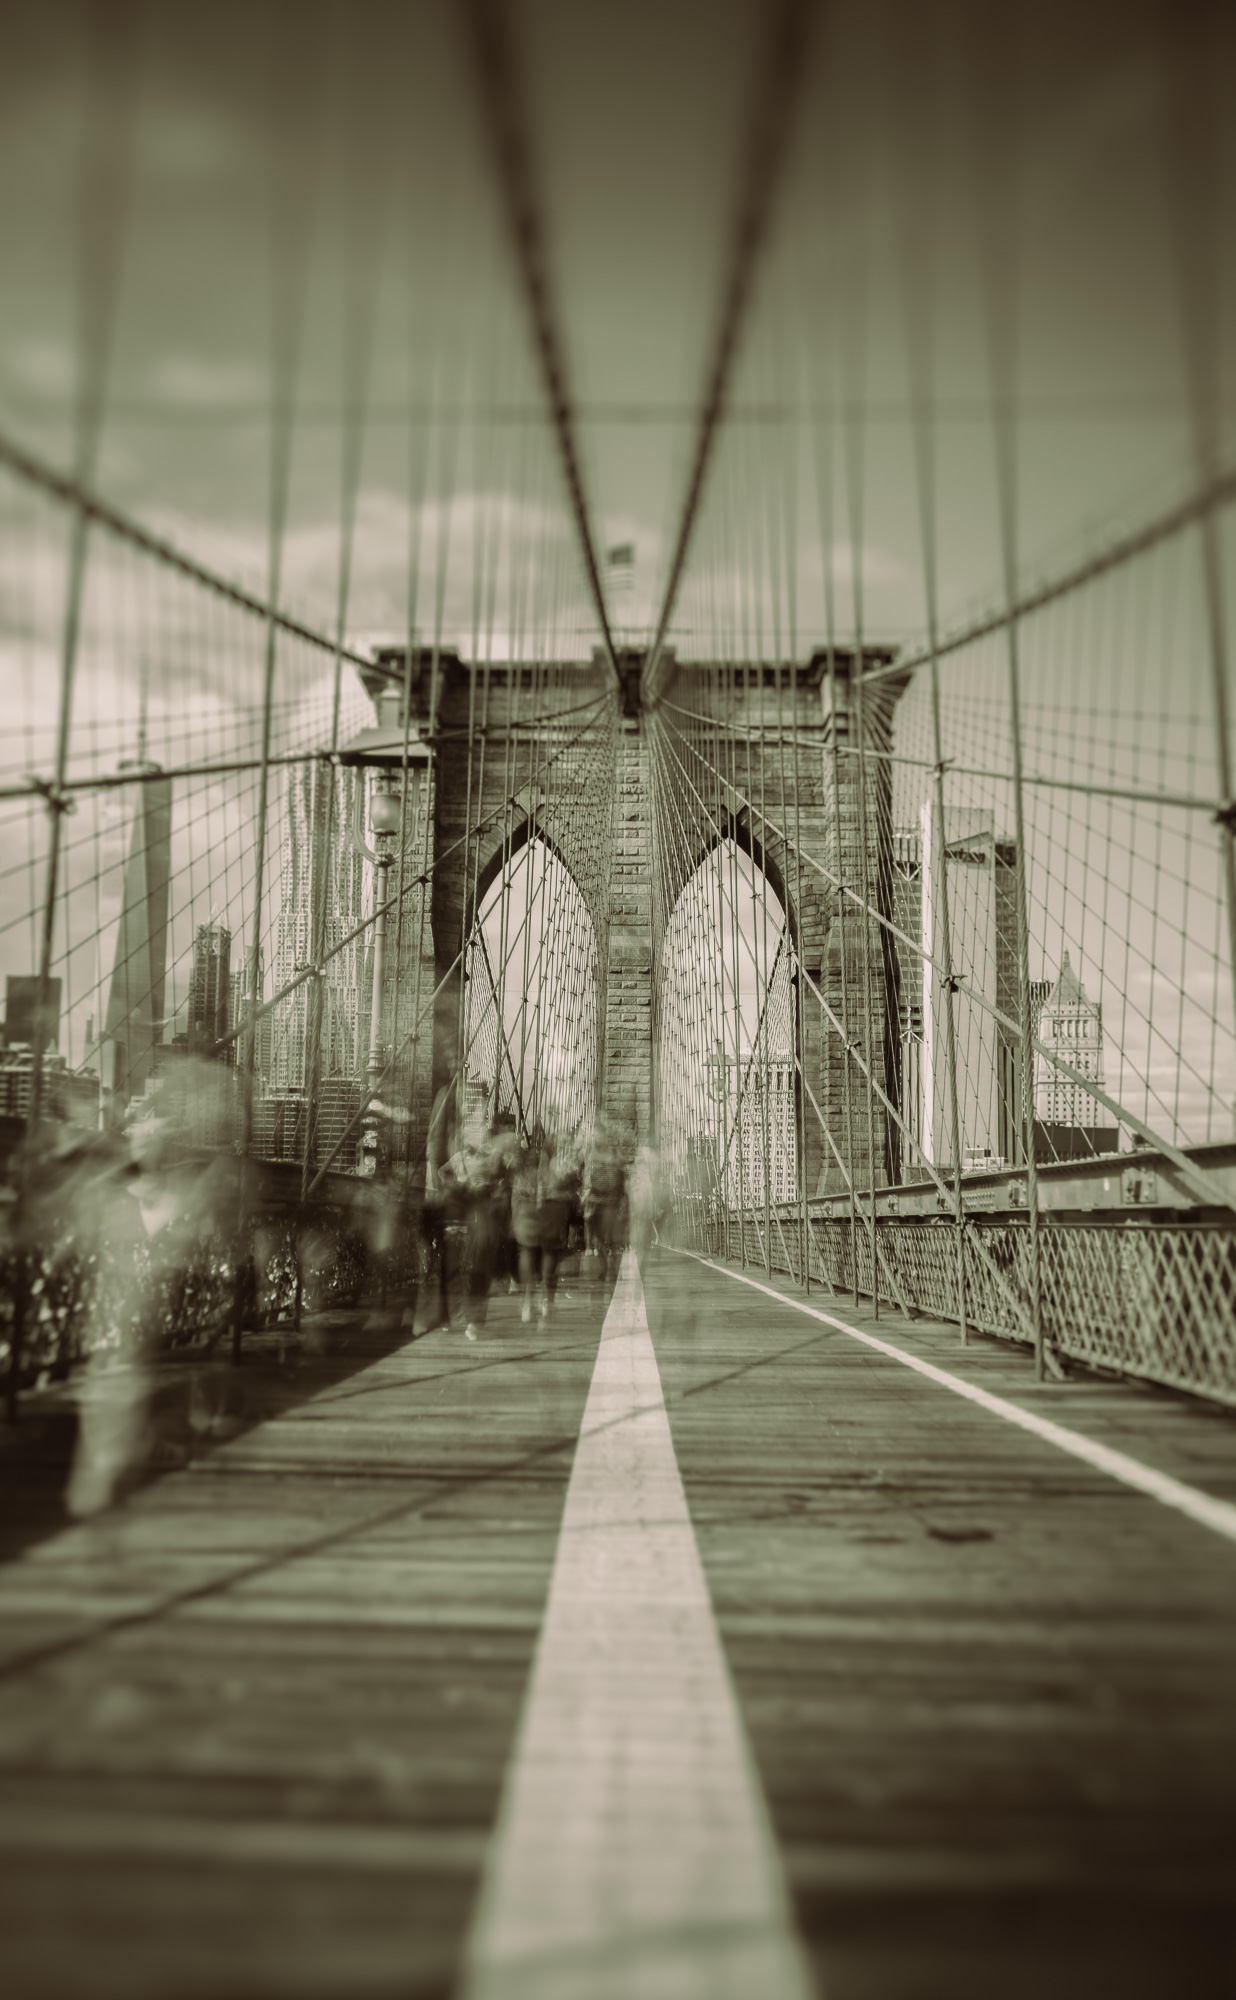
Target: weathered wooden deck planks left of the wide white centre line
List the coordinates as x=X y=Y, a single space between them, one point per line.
x=253 y=1727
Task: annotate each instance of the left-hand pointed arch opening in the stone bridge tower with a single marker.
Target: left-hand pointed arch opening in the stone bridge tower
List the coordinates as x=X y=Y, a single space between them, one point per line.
x=531 y=991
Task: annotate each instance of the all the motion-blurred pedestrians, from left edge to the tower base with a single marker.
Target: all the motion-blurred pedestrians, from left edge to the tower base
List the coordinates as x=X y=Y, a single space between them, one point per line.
x=129 y=1243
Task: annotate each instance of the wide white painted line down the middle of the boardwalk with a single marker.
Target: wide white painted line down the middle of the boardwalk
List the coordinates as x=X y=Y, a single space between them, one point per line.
x=633 y=1853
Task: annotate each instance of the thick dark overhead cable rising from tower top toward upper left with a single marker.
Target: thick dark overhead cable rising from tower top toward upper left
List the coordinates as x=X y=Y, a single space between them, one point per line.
x=499 y=85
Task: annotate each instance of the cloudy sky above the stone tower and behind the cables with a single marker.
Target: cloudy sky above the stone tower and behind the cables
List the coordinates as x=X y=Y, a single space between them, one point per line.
x=305 y=217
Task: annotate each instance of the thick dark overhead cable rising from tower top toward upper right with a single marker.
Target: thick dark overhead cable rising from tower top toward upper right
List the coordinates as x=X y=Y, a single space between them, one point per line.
x=777 y=89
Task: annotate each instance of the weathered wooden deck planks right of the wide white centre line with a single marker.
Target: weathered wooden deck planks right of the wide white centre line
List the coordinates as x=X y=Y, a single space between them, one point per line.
x=991 y=1691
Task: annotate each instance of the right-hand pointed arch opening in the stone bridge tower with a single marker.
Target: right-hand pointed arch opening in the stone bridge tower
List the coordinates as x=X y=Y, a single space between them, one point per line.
x=725 y=1039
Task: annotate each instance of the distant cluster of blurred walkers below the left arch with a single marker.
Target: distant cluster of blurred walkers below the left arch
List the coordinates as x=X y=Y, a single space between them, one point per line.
x=525 y=1205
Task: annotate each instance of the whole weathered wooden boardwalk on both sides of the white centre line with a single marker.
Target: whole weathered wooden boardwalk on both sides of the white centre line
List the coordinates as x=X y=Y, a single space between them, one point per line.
x=257 y=1723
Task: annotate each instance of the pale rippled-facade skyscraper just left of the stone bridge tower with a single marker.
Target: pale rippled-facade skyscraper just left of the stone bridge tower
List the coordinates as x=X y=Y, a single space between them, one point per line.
x=339 y=877
